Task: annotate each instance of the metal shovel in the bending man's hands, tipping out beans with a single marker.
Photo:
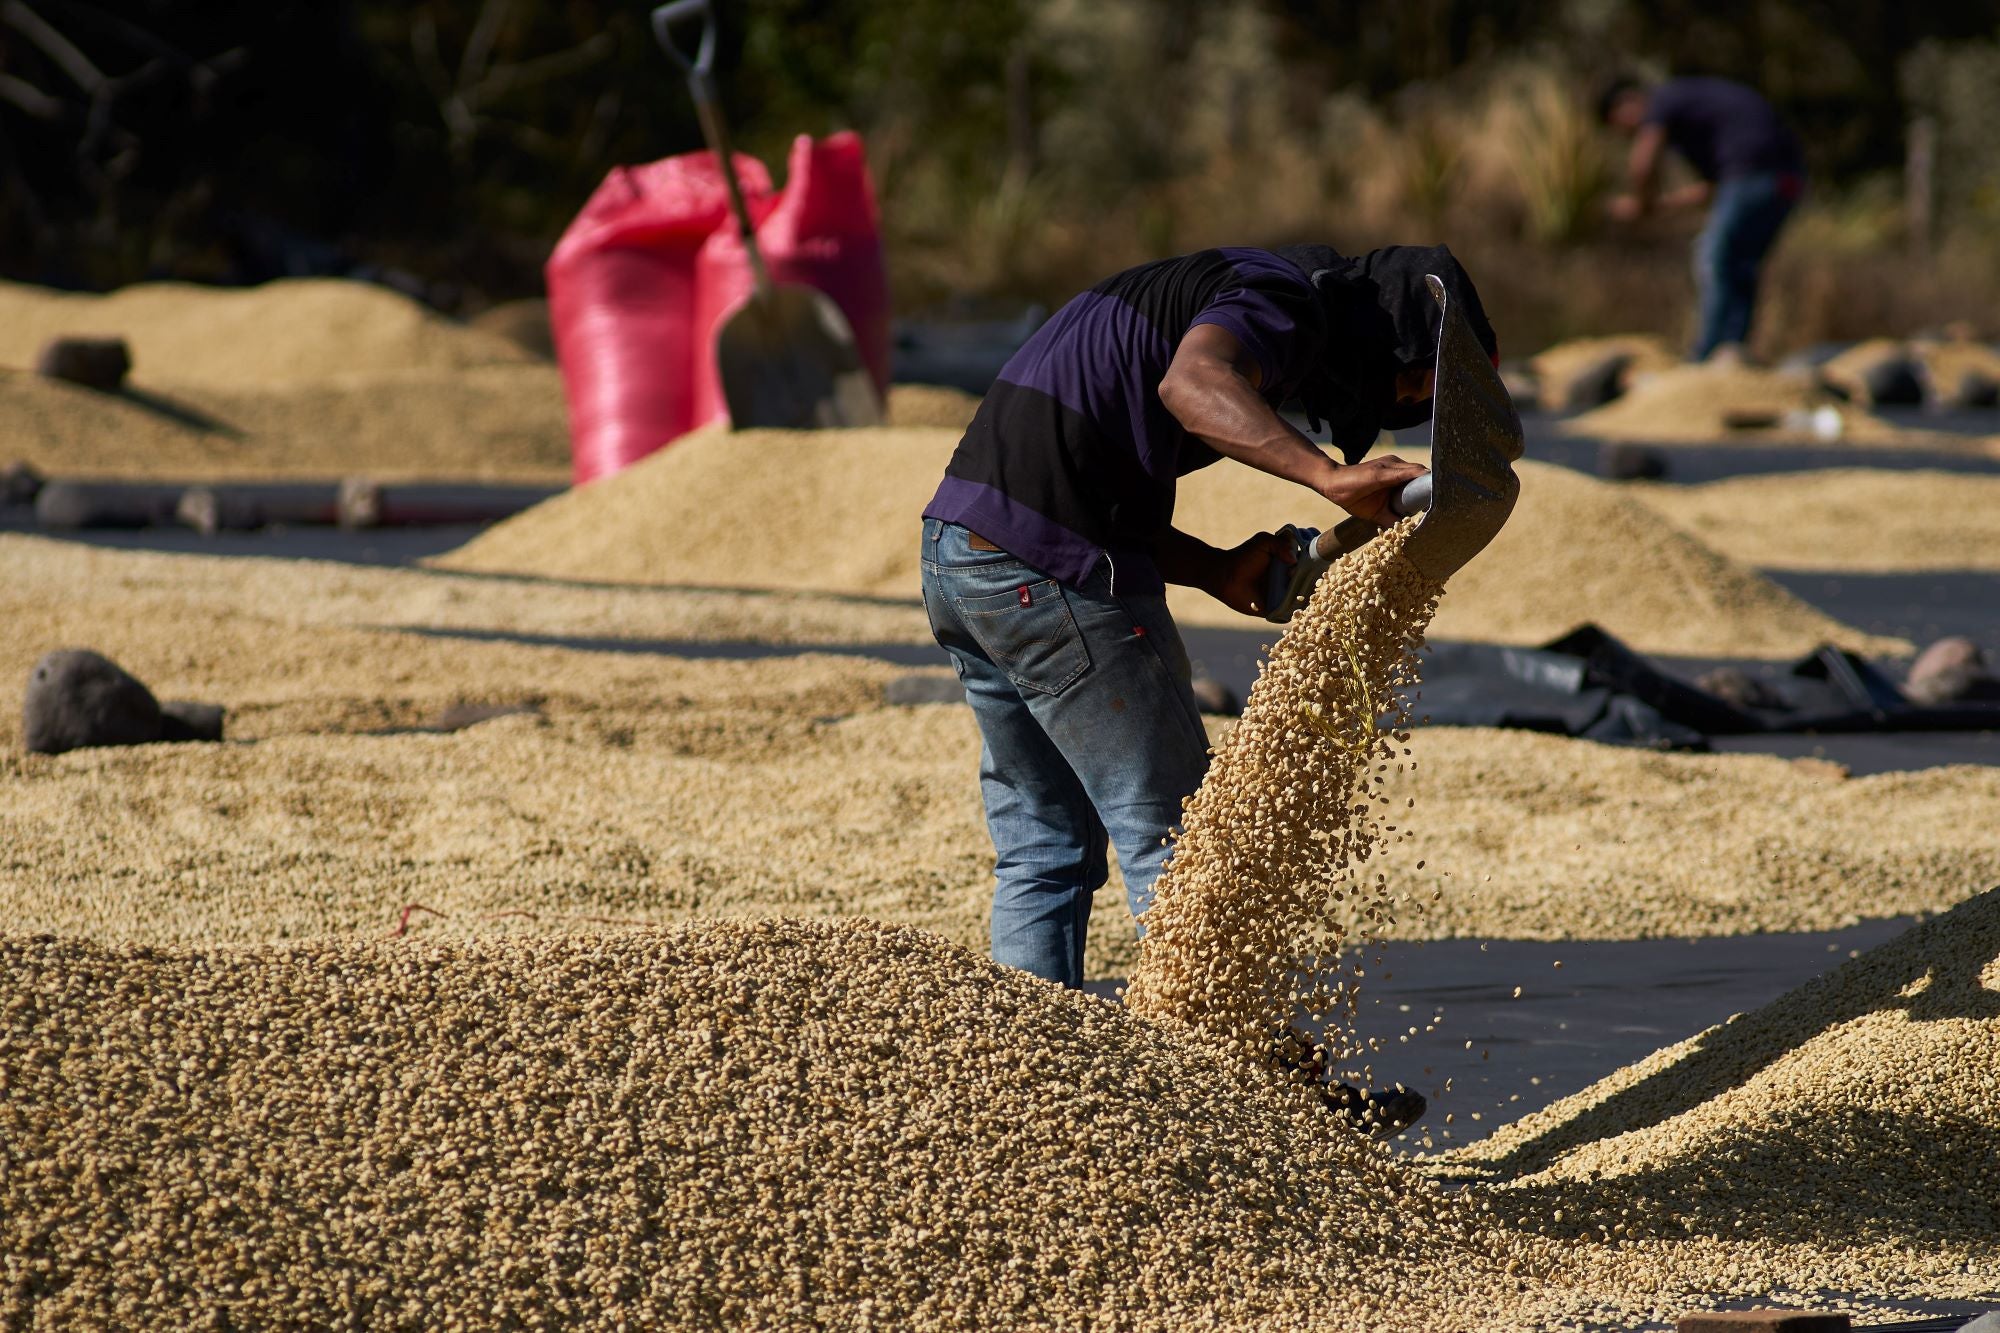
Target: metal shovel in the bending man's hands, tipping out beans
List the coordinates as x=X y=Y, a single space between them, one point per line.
x=1467 y=497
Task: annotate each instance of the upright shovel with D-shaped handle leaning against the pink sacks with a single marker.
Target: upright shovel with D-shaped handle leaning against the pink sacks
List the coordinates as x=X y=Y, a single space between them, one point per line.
x=787 y=355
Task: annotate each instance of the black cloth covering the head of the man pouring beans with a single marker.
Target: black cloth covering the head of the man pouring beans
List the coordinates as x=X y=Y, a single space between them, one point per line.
x=1381 y=321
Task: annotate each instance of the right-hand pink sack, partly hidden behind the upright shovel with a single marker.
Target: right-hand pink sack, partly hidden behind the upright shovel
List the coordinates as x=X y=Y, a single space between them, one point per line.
x=821 y=231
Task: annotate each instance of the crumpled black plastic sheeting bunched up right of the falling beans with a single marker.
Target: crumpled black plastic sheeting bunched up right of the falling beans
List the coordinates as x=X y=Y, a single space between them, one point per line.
x=1595 y=688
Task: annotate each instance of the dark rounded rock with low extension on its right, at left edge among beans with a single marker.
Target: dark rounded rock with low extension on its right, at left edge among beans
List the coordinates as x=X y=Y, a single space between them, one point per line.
x=81 y=700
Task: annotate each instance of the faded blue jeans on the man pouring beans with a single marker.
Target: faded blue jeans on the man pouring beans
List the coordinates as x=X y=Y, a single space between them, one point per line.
x=1091 y=738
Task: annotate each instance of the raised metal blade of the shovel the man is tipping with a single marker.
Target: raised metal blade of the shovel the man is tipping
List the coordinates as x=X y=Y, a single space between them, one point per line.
x=1475 y=439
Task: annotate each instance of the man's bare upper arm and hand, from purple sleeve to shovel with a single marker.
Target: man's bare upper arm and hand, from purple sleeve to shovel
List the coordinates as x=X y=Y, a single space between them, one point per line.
x=1213 y=391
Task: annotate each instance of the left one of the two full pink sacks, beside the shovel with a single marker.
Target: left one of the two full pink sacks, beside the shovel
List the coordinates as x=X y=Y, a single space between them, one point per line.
x=623 y=305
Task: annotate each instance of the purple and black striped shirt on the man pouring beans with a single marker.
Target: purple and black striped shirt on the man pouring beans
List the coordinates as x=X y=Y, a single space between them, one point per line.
x=1071 y=457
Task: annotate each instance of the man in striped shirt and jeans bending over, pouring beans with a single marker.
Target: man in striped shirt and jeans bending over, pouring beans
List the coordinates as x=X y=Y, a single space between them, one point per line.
x=1051 y=537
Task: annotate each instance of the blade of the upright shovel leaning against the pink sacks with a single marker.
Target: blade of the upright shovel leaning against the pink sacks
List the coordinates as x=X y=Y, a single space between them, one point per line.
x=789 y=361
